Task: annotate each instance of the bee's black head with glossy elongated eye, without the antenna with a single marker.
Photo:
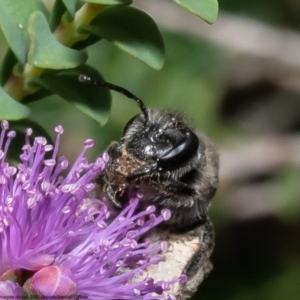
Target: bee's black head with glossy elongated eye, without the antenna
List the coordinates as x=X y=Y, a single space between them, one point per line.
x=164 y=140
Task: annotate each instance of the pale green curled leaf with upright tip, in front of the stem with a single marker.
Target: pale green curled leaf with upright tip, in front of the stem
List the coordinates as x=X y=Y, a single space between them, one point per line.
x=45 y=51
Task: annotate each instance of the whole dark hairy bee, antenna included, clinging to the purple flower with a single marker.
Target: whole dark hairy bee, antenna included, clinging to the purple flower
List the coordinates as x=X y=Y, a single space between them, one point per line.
x=172 y=165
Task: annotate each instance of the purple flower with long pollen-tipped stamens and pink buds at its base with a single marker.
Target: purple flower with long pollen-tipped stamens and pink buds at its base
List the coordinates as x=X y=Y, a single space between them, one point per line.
x=57 y=240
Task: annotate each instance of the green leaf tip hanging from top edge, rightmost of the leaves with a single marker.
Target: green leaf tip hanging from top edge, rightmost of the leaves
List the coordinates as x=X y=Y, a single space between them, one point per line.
x=205 y=9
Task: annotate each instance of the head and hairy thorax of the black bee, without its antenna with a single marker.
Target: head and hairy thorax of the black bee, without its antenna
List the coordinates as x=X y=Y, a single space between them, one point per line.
x=166 y=161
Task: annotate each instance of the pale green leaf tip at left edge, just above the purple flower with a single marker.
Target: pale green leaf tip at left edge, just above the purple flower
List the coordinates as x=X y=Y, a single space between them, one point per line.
x=11 y=109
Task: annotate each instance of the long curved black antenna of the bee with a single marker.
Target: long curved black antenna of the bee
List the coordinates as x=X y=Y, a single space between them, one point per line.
x=111 y=86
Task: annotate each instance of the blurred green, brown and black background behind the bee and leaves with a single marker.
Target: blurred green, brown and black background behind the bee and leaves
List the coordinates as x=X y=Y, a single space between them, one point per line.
x=239 y=81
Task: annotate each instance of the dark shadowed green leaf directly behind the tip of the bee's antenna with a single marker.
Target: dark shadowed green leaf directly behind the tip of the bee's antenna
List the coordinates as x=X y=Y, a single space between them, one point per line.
x=92 y=100
